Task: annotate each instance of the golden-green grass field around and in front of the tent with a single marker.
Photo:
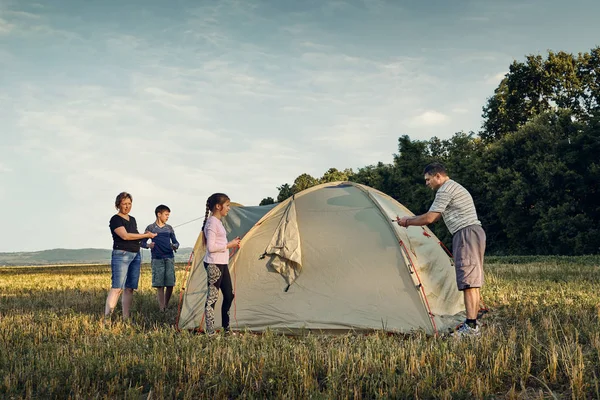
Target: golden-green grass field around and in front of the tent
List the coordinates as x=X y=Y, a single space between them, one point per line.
x=541 y=340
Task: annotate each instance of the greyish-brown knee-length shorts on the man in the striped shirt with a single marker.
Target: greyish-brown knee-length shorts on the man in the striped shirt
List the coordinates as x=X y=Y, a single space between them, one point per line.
x=468 y=246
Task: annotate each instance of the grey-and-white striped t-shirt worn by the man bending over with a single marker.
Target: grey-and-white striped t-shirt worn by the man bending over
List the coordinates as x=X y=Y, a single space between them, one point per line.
x=456 y=205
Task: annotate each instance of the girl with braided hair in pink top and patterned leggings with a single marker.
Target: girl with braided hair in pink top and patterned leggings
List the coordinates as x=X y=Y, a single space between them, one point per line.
x=216 y=260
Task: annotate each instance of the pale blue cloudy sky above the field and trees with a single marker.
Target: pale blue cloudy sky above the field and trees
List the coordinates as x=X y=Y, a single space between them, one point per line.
x=174 y=100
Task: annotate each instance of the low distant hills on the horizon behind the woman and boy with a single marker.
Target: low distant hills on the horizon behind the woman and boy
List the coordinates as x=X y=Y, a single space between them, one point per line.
x=75 y=256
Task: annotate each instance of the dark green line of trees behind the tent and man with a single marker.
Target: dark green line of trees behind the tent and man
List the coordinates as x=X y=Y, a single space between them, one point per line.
x=533 y=169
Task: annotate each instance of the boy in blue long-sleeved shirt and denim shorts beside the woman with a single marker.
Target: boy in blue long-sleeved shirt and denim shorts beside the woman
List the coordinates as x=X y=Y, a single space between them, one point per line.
x=163 y=258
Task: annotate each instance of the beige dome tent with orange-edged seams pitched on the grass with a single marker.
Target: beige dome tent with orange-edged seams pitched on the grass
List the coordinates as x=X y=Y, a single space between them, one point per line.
x=331 y=258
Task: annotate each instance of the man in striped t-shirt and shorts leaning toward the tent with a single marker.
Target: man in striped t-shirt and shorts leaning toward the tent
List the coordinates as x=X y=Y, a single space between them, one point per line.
x=454 y=203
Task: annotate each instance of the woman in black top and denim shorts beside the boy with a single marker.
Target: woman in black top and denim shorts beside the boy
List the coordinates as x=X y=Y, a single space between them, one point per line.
x=126 y=259
